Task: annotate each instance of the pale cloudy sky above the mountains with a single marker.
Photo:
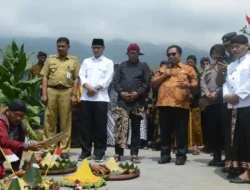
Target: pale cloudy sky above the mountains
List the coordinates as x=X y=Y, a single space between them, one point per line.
x=198 y=23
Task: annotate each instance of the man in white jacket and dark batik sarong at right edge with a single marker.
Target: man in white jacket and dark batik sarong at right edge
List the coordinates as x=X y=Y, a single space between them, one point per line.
x=236 y=91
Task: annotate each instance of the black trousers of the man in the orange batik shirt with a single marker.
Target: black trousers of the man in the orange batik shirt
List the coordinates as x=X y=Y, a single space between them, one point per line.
x=174 y=119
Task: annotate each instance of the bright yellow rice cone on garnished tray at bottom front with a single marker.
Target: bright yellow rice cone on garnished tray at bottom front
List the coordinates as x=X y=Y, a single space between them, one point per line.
x=83 y=178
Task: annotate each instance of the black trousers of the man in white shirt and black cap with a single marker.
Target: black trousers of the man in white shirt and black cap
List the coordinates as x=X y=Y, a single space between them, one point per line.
x=94 y=120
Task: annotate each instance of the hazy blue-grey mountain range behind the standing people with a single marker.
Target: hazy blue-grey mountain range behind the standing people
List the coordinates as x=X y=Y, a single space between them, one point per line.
x=115 y=49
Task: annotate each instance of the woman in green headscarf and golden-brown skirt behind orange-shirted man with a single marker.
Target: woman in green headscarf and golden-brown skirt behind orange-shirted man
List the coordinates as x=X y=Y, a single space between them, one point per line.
x=194 y=127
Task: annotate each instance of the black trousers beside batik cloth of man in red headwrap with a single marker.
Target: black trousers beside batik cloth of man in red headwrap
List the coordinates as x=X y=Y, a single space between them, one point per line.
x=135 y=137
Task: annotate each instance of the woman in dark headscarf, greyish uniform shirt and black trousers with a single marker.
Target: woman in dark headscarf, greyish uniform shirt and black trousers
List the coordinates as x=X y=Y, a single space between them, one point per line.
x=212 y=94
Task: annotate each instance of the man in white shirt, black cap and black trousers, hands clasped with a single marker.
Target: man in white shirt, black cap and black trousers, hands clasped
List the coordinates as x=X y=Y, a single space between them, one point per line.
x=96 y=74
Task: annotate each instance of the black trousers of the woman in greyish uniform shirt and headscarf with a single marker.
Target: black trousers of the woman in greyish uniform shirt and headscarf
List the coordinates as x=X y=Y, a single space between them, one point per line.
x=215 y=129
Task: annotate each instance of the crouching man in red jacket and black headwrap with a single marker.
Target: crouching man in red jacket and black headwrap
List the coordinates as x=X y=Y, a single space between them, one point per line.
x=13 y=131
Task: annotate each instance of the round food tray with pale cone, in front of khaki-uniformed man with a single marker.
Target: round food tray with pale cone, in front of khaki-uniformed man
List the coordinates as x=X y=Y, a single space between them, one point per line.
x=57 y=167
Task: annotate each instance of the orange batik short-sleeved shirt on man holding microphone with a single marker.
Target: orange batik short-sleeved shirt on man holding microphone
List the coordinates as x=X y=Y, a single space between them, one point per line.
x=171 y=95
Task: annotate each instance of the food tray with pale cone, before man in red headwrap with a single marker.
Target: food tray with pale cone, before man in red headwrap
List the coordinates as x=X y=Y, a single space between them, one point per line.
x=112 y=171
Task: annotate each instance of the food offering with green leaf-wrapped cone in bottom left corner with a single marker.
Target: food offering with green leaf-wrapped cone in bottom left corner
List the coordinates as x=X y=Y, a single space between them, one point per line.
x=30 y=179
